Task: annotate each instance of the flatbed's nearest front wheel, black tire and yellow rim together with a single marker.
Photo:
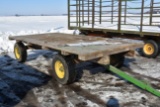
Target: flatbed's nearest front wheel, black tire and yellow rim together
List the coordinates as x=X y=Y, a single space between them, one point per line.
x=63 y=69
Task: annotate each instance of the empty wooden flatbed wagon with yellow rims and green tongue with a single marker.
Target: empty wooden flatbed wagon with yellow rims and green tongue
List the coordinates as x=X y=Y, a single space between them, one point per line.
x=74 y=49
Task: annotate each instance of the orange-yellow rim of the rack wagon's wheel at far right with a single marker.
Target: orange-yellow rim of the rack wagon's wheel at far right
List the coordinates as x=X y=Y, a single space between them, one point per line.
x=148 y=49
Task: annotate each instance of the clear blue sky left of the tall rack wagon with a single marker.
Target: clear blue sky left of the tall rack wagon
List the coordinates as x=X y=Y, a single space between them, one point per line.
x=32 y=7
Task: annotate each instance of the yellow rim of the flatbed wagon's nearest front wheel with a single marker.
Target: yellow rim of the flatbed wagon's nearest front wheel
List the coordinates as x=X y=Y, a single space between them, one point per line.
x=59 y=68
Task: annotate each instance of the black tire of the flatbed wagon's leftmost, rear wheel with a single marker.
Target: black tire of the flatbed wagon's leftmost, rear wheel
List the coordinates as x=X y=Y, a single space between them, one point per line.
x=22 y=51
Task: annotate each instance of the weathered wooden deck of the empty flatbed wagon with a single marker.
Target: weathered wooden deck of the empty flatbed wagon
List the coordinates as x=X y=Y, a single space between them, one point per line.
x=86 y=47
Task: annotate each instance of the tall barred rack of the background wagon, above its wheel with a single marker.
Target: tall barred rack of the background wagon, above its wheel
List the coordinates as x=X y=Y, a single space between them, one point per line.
x=81 y=12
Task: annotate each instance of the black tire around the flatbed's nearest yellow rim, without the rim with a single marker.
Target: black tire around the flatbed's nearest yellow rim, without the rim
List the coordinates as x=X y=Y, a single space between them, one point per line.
x=69 y=69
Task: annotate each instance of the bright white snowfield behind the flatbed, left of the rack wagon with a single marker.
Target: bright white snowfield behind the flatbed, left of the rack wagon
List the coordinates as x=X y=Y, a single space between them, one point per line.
x=10 y=26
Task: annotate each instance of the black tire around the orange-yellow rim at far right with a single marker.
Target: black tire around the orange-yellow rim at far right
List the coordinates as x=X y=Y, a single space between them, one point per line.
x=156 y=49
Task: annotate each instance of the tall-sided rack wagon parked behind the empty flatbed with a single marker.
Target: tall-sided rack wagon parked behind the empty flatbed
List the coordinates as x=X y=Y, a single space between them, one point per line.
x=138 y=19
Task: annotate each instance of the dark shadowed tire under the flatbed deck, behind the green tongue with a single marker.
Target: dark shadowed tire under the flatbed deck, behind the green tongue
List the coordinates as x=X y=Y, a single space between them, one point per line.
x=117 y=60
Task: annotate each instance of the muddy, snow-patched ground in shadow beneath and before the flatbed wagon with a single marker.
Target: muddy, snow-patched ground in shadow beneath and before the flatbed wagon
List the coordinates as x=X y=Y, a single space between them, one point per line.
x=28 y=85
